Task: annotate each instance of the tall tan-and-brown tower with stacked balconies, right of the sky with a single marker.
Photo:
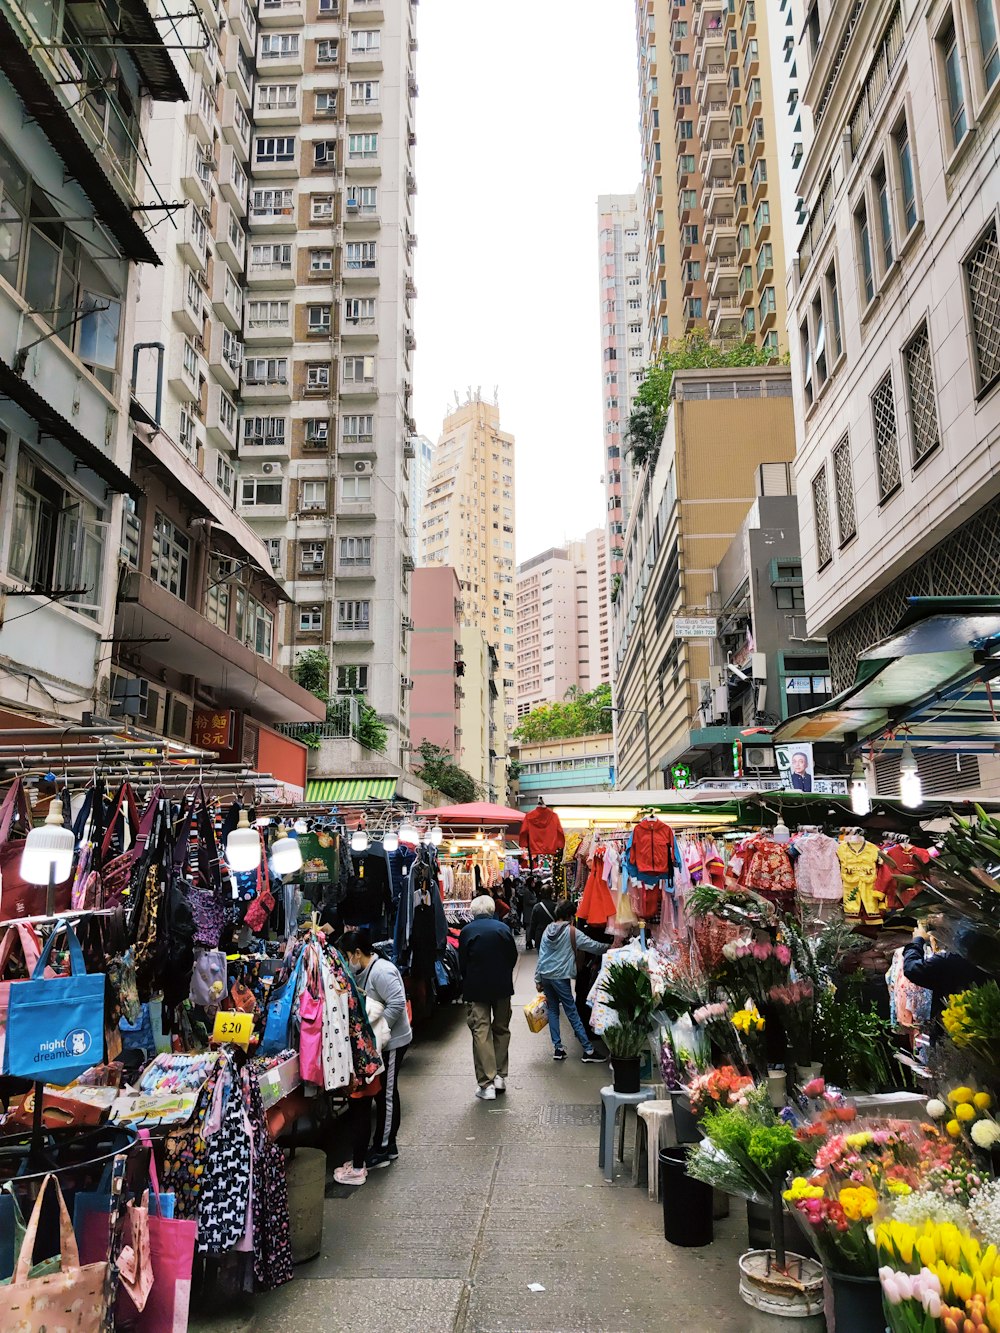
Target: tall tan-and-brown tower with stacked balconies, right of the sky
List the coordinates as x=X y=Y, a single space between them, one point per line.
x=715 y=157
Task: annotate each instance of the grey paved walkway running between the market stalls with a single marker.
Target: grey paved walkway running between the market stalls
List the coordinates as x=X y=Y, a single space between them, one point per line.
x=489 y=1198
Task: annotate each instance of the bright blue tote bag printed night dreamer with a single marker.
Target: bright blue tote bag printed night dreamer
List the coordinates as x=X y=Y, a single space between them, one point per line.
x=55 y=1028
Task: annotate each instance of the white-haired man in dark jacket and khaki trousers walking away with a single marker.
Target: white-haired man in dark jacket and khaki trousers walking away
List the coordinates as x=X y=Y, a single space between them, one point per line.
x=487 y=958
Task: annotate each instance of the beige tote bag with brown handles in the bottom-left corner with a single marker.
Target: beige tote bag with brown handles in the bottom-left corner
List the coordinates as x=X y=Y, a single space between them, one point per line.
x=75 y=1298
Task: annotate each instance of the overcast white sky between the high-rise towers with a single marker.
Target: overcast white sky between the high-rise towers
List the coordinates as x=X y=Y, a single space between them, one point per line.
x=527 y=113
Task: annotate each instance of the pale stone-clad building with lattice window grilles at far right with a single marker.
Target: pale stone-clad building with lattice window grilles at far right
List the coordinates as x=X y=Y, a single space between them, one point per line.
x=897 y=315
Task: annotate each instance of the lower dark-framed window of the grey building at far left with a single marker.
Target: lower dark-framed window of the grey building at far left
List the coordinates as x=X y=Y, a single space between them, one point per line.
x=58 y=538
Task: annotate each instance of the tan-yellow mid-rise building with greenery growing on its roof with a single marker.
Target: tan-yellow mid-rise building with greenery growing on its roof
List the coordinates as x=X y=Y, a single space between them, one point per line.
x=691 y=502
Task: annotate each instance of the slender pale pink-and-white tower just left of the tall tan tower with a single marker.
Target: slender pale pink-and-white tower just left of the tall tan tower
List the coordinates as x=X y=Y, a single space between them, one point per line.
x=623 y=350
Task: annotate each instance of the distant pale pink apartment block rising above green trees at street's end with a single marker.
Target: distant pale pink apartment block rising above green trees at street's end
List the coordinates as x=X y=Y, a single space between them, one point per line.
x=563 y=611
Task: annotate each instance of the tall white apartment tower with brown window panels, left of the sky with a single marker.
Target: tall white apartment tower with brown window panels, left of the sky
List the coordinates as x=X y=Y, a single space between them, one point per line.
x=327 y=382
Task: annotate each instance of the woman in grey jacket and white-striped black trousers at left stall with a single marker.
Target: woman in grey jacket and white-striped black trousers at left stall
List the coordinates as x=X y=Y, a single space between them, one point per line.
x=382 y=984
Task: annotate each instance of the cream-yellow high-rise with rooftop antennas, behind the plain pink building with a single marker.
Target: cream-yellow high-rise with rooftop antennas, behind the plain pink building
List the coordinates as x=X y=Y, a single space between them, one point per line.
x=469 y=525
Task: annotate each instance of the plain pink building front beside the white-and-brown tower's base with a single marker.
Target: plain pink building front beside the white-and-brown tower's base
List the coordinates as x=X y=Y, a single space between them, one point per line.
x=435 y=659
